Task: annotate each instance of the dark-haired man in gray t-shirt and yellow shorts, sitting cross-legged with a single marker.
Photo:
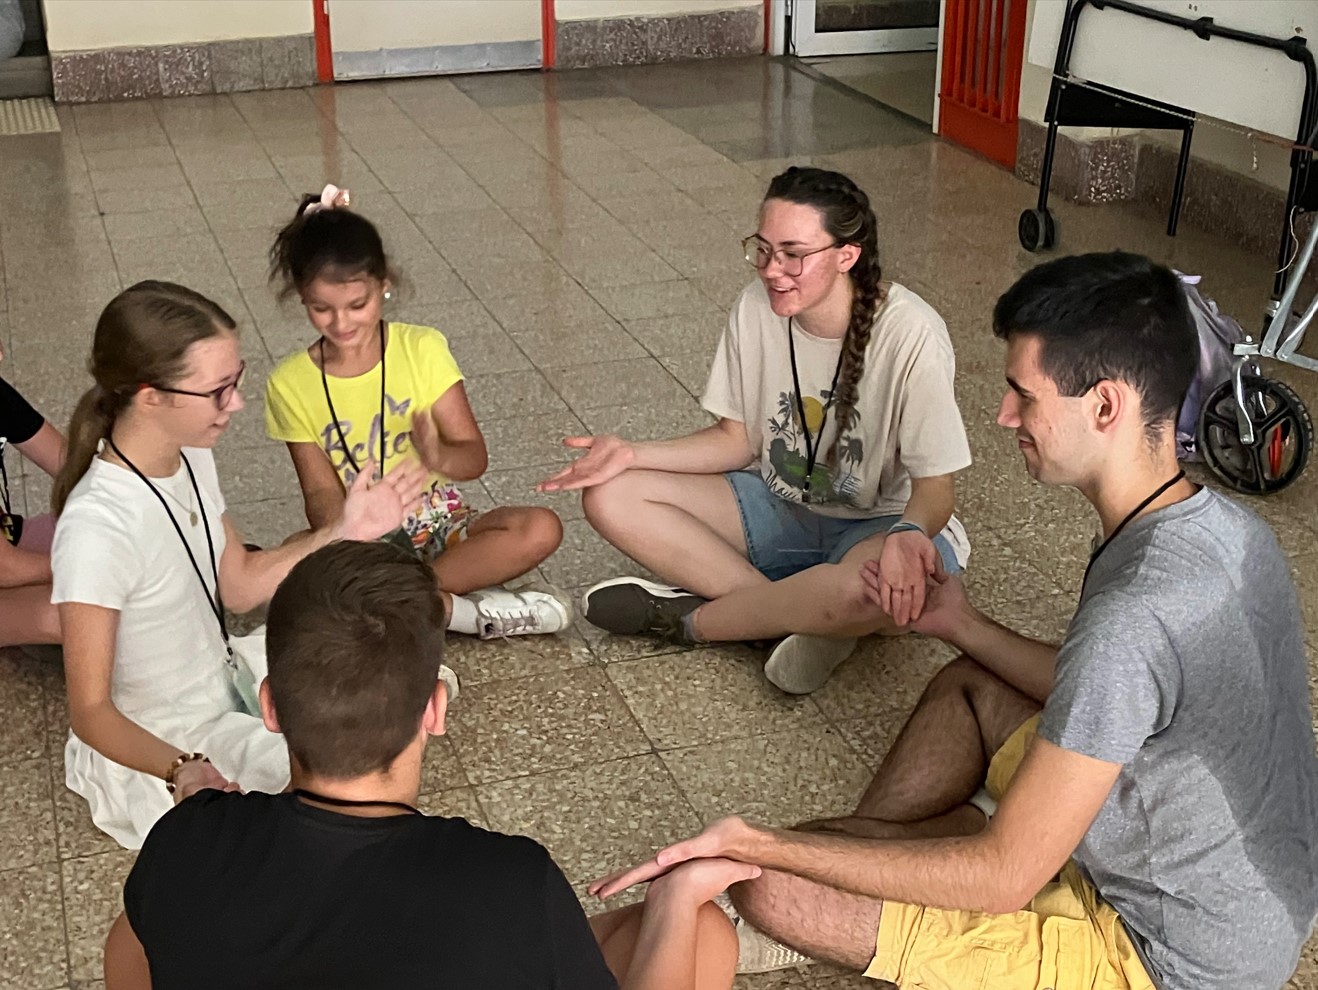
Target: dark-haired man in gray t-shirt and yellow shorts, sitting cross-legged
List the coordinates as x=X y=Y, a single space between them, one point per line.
x=1159 y=790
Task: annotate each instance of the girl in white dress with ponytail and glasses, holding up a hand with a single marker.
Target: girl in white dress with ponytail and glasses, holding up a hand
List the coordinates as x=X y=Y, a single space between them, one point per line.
x=146 y=562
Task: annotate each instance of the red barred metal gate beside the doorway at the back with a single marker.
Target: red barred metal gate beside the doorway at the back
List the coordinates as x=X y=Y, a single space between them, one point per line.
x=984 y=45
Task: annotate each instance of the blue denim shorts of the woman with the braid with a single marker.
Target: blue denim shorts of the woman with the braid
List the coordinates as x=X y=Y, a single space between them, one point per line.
x=784 y=537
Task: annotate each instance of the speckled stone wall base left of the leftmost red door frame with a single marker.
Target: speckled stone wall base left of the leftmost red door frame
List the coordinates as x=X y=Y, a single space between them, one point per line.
x=184 y=71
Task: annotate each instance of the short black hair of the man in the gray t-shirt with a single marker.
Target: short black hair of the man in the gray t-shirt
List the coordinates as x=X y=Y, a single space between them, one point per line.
x=1108 y=316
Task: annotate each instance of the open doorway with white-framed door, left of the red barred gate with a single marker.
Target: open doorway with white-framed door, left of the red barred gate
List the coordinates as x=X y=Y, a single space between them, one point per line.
x=885 y=49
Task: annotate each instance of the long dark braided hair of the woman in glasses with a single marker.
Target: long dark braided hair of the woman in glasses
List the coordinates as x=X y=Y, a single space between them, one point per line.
x=847 y=217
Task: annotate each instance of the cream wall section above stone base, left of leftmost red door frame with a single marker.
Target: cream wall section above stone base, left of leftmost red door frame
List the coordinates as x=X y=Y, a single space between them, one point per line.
x=82 y=26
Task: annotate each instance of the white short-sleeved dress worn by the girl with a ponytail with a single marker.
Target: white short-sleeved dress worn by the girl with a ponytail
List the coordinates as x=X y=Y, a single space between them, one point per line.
x=117 y=549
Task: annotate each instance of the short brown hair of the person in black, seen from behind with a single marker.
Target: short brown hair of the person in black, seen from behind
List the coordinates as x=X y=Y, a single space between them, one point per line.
x=355 y=639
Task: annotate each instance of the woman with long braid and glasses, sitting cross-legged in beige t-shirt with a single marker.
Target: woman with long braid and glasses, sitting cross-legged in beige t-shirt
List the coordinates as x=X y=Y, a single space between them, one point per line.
x=838 y=441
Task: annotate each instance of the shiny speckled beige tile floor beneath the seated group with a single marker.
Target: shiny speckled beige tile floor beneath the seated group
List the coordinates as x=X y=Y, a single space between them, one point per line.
x=577 y=238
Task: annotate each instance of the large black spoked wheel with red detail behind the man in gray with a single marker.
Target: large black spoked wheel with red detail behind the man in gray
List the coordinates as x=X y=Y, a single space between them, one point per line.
x=1283 y=436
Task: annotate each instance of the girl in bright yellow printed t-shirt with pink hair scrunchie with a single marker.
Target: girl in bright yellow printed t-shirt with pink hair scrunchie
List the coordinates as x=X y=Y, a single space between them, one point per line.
x=370 y=393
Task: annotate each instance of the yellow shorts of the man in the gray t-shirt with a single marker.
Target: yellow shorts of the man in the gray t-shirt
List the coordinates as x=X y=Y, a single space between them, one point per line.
x=1066 y=939
